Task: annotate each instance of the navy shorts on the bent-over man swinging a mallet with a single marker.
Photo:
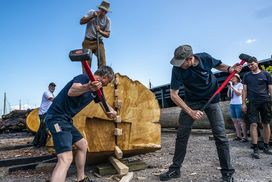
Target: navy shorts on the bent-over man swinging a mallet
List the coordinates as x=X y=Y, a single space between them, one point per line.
x=64 y=134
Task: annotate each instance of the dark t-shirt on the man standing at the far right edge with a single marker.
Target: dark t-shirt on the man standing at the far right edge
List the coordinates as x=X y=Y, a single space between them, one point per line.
x=257 y=86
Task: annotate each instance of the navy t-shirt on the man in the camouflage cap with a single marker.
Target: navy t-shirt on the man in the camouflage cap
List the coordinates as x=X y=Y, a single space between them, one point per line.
x=199 y=82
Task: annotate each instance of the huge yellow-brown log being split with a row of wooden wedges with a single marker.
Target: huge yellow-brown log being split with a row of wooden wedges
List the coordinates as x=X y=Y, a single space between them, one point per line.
x=139 y=112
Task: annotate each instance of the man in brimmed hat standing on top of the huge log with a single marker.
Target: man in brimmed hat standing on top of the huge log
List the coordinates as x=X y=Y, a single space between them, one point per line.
x=97 y=23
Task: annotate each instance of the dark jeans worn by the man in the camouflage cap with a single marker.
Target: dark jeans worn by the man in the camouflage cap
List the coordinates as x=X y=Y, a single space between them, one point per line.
x=216 y=119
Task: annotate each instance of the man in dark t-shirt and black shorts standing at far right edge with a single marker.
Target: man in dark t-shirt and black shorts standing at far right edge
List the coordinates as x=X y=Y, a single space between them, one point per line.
x=258 y=90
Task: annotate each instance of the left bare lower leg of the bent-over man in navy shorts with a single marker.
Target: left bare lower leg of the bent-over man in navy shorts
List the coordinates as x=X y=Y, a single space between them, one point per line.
x=60 y=171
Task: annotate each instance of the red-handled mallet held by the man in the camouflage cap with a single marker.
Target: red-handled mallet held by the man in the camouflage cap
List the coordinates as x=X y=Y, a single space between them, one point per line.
x=244 y=58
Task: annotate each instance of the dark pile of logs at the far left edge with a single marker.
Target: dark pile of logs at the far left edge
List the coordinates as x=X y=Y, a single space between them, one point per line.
x=14 y=121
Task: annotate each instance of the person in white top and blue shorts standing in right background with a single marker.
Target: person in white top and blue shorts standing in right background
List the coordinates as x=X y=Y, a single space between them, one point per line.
x=235 y=93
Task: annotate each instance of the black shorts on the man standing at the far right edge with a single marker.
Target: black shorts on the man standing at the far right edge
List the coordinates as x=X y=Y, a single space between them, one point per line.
x=259 y=112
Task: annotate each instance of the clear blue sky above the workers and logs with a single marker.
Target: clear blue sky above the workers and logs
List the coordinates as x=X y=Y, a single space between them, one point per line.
x=36 y=37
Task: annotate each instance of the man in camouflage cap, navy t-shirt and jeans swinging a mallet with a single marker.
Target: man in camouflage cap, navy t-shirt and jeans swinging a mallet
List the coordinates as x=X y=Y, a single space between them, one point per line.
x=193 y=72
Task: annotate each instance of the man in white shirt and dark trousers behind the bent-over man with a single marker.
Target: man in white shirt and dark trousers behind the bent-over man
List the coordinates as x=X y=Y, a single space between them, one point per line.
x=47 y=99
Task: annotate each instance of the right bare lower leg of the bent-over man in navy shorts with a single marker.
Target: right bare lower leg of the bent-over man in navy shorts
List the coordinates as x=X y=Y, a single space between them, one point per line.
x=80 y=158
